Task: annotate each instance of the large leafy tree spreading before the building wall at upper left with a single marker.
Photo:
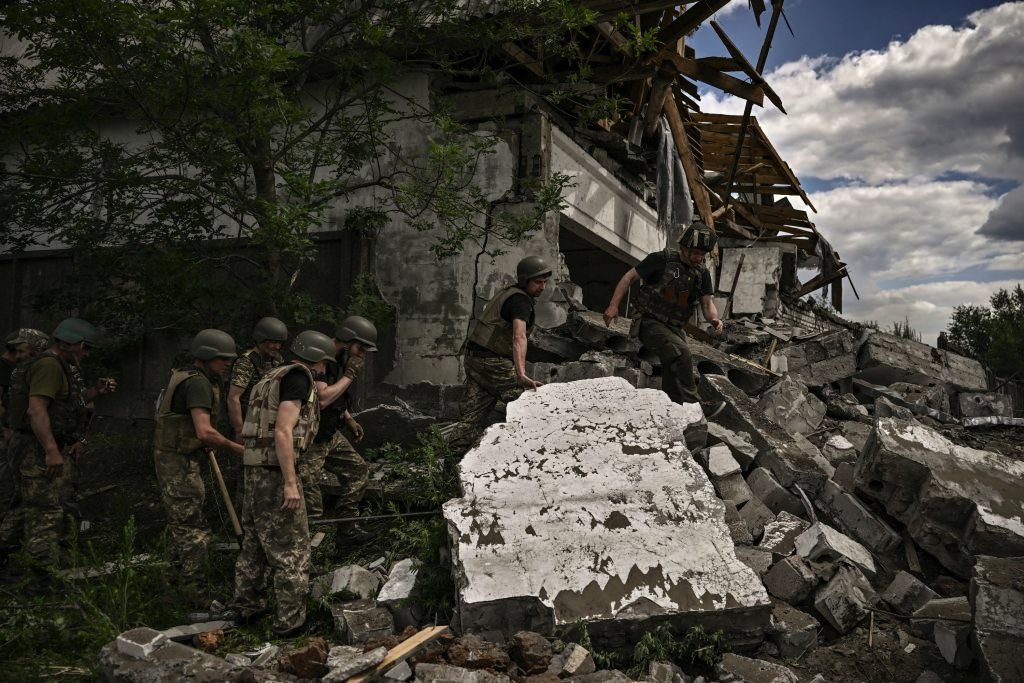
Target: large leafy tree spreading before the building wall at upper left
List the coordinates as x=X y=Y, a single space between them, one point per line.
x=186 y=150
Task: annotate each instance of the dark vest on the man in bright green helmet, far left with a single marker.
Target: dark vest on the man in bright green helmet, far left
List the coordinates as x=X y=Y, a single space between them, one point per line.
x=69 y=417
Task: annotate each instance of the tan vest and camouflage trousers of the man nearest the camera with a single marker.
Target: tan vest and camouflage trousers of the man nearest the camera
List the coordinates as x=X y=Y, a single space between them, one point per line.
x=274 y=541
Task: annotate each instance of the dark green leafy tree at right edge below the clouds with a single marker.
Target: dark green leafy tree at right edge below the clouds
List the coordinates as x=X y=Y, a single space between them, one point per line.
x=993 y=334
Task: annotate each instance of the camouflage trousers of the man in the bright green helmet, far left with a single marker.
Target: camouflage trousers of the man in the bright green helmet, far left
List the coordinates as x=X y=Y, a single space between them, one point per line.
x=41 y=504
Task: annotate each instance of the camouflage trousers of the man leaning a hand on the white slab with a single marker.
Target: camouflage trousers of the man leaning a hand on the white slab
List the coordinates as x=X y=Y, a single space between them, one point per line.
x=488 y=381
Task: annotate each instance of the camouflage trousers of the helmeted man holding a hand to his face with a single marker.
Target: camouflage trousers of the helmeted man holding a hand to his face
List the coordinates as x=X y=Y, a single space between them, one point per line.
x=342 y=459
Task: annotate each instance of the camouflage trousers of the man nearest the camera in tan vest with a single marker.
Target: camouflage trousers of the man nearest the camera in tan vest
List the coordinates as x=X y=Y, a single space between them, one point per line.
x=277 y=543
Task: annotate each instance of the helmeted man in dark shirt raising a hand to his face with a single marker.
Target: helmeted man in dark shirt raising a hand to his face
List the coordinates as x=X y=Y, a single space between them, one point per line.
x=331 y=450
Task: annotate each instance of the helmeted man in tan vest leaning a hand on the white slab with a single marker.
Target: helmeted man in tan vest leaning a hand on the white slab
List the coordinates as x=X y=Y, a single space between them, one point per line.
x=496 y=351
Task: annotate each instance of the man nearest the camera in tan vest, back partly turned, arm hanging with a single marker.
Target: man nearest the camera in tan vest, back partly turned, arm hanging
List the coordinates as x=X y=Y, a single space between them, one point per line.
x=282 y=421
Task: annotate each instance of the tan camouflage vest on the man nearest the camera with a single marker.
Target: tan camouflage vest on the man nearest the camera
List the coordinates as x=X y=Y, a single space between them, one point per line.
x=261 y=420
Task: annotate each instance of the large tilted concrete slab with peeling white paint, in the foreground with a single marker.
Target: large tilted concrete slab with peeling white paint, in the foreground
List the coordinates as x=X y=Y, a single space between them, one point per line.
x=586 y=505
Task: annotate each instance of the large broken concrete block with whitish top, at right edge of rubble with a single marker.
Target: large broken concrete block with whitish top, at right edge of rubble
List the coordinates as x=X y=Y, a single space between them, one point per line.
x=957 y=502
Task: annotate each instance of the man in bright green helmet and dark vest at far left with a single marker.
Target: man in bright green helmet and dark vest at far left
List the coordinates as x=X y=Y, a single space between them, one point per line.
x=50 y=414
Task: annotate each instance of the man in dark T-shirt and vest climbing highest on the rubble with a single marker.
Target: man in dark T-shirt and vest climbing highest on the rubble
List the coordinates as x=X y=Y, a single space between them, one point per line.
x=674 y=282
